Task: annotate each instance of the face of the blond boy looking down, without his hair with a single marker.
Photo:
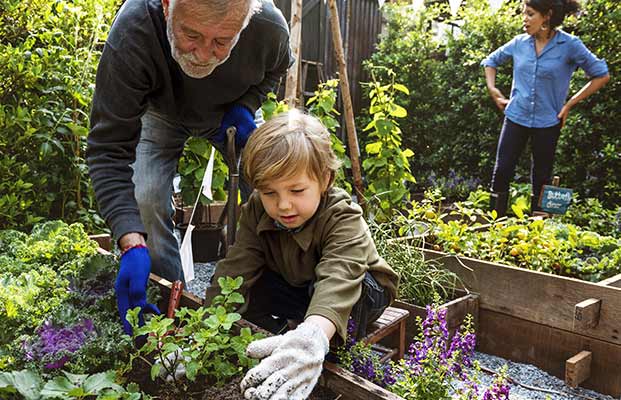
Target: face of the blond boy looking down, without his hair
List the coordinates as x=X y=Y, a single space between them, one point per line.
x=292 y=201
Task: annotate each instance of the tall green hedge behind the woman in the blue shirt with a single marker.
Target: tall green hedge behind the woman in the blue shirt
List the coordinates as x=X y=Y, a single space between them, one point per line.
x=452 y=122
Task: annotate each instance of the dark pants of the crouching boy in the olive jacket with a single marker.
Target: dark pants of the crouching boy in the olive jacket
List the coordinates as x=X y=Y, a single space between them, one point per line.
x=273 y=297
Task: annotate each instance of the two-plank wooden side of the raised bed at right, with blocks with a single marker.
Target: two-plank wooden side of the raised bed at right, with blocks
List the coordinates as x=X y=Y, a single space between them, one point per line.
x=546 y=320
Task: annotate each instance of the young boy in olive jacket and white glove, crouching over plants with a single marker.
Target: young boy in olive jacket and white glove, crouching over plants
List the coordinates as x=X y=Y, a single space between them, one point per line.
x=305 y=253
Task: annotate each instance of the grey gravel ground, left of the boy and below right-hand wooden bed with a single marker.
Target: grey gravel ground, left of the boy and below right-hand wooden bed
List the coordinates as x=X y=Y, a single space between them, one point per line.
x=525 y=374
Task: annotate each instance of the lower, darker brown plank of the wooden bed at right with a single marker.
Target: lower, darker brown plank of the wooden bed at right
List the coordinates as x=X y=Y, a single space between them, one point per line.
x=549 y=348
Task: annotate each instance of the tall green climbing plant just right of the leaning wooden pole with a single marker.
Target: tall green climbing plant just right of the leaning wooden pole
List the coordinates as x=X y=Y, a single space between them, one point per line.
x=386 y=165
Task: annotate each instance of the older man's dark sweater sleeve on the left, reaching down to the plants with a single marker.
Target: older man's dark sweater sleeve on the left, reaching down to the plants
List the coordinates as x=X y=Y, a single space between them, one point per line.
x=118 y=103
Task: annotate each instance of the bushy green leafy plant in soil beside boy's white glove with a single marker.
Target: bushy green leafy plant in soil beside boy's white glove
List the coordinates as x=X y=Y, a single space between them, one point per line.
x=202 y=341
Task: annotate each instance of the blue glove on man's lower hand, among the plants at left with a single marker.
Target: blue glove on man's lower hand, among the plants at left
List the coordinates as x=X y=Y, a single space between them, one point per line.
x=131 y=285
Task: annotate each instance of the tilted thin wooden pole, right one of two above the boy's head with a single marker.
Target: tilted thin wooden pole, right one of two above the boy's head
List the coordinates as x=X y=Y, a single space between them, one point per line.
x=352 y=139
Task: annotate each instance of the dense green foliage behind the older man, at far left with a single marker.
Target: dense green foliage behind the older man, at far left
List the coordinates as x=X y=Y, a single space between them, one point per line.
x=49 y=52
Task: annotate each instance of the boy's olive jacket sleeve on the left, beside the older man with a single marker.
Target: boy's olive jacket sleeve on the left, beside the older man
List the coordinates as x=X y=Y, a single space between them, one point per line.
x=246 y=257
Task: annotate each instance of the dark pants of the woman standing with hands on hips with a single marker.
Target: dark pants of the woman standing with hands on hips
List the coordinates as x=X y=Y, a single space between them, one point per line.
x=513 y=139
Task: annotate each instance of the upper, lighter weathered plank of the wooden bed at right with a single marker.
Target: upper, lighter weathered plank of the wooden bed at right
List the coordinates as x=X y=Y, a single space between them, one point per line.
x=536 y=296
